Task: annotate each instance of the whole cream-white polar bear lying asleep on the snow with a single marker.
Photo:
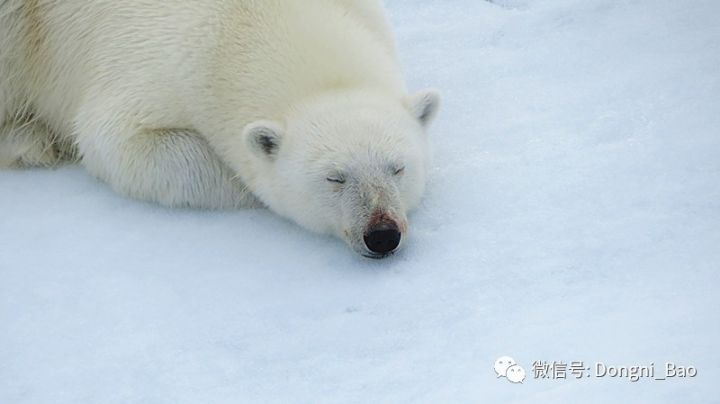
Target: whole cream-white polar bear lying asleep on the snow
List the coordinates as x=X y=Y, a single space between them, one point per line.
x=296 y=105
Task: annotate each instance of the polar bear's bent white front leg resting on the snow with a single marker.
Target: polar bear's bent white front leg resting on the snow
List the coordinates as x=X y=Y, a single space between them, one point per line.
x=173 y=167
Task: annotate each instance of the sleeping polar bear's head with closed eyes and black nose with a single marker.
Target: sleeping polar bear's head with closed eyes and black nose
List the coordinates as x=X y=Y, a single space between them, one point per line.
x=352 y=165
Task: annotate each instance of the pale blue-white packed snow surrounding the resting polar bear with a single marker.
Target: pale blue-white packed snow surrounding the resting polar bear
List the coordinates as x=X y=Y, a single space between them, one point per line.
x=573 y=215
